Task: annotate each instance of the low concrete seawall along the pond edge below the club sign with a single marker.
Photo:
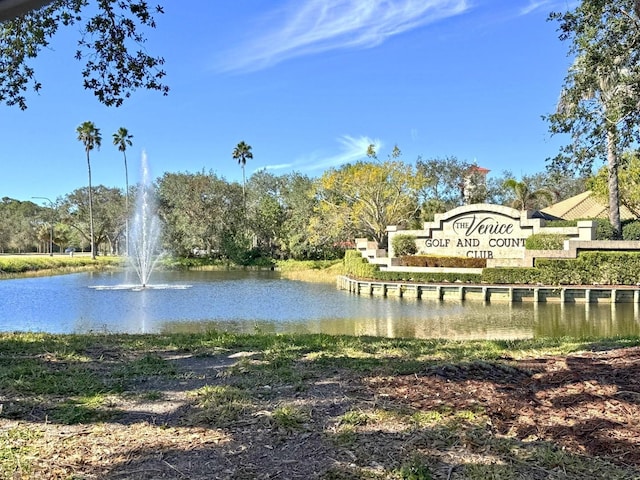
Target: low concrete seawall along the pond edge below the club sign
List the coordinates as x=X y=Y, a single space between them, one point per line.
x=492 y=293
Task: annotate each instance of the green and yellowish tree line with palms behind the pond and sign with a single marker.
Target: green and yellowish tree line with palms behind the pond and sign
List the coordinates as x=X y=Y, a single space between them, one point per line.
x=278 y=216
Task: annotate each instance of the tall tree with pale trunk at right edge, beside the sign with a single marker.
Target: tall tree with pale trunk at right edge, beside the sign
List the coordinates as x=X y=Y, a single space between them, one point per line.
x=598 y=108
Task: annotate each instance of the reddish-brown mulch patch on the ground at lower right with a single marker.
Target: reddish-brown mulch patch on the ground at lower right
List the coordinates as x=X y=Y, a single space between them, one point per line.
x=588 y=403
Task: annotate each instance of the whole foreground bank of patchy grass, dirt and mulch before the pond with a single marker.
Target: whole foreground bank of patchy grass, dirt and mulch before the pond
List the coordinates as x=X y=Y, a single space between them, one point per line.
x=315 y=406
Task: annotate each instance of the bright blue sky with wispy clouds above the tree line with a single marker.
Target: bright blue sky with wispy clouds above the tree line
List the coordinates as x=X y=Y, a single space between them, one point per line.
x=308 y=84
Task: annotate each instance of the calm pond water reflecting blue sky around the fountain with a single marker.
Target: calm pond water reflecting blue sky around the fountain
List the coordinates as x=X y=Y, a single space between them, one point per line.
x=264 y=302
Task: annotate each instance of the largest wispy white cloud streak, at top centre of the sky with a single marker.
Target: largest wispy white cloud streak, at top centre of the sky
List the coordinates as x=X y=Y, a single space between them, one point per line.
x=307 y=27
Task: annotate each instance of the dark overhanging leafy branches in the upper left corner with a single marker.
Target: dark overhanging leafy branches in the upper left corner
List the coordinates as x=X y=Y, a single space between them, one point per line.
x=111 y=44
